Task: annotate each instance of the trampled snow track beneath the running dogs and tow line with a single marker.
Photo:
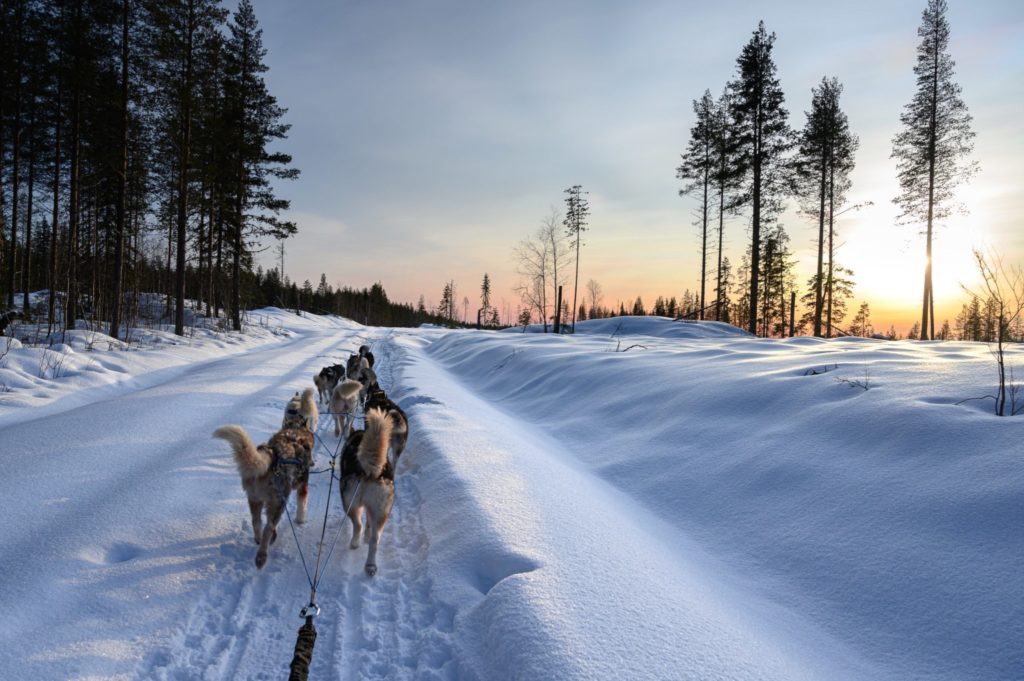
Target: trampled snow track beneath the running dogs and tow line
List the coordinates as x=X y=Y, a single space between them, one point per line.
x=390 y=627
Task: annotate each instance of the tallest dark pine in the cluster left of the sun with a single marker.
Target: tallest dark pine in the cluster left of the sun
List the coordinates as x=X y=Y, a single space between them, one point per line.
x=763 y=140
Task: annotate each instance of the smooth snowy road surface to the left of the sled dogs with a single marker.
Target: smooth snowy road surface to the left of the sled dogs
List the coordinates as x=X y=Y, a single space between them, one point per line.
x=127 y=512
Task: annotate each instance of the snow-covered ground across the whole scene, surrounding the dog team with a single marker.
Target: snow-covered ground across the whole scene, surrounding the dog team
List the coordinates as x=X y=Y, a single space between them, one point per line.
x=645 y=500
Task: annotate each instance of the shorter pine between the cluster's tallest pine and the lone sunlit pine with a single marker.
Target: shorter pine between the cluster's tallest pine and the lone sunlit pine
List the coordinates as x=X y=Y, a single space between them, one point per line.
x=823 y=167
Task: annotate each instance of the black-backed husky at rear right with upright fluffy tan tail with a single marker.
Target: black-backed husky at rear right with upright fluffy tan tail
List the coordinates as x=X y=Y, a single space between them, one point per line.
x=368 y=483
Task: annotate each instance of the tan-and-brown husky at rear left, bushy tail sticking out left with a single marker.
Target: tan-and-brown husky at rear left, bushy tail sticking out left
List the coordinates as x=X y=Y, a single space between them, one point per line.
x=270 y=474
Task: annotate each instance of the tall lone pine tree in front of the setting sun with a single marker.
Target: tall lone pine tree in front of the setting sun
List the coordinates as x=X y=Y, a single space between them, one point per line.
x=932 y=149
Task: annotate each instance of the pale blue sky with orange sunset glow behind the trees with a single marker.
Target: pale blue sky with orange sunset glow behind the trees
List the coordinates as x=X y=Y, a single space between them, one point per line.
x=435 y=137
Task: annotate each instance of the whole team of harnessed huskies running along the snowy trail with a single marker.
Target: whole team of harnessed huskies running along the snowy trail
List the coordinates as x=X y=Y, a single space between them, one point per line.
x=271 y=473
